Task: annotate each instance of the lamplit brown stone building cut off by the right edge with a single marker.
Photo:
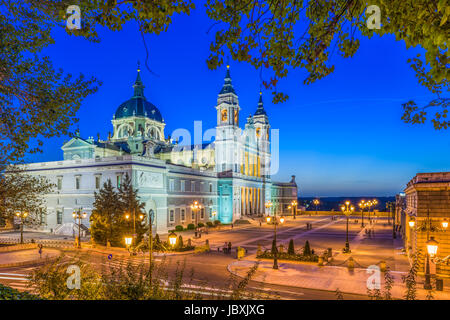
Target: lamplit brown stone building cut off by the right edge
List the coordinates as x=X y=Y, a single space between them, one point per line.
x=427 y=207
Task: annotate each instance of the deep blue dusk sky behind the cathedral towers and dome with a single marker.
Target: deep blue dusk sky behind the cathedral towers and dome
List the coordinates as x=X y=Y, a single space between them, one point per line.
x=341 y=136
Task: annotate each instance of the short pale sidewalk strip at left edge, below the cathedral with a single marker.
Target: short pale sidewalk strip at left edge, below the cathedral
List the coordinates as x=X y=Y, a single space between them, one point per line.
x=23 y=257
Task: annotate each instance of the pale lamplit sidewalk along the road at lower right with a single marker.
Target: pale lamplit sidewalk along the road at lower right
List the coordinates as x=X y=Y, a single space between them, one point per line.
x=327 y=278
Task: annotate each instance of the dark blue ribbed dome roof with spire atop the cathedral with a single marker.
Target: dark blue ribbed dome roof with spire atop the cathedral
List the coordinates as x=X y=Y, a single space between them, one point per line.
x=138 y=105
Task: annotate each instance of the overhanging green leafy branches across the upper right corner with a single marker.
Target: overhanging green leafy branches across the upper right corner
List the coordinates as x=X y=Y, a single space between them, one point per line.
x=279 y=36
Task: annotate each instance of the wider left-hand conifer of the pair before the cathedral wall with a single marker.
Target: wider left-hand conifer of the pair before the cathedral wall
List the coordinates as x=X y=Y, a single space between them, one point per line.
x=107 y=216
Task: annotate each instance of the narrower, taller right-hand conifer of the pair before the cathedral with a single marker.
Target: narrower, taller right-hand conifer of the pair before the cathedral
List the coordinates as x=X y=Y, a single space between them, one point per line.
x=130 y=203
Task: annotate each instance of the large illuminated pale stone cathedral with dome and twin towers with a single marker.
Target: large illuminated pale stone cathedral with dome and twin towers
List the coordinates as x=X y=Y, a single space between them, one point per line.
x=230 y=177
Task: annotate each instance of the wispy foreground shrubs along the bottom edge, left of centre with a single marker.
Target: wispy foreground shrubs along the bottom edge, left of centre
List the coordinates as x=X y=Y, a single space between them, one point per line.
x=129 y=281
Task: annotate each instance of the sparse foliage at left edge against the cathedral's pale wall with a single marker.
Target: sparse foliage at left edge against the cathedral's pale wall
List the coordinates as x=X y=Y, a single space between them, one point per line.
x=23 y=192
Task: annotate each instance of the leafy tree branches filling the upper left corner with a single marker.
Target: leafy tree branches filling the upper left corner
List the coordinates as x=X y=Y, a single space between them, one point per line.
x=37 y=101
